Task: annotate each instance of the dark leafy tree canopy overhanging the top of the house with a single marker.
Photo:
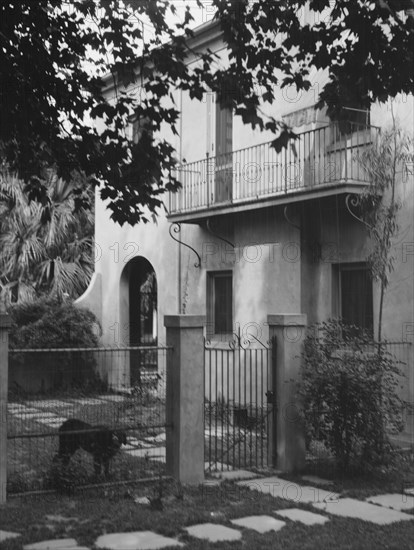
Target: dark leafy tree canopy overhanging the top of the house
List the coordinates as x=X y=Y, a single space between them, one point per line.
x=49 y=96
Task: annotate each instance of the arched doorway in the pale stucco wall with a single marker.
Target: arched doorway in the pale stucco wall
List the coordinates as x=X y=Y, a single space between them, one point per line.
x=138 y=314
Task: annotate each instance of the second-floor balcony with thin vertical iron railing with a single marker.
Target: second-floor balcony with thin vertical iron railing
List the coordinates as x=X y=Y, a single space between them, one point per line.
x=320 y=162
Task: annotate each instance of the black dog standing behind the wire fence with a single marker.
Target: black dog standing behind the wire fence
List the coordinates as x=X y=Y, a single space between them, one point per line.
x=102 y=442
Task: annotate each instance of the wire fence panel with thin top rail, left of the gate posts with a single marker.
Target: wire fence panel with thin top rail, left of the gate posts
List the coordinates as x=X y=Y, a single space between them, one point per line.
x=113 y=393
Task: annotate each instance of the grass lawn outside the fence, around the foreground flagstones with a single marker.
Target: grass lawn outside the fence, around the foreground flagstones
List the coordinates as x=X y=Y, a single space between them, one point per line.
x=93 y=513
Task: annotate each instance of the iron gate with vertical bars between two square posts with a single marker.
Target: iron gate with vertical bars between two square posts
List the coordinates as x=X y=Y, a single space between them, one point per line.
x=239 y=404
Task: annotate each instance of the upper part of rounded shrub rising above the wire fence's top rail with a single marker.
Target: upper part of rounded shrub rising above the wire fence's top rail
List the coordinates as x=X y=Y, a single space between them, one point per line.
x=48 y=323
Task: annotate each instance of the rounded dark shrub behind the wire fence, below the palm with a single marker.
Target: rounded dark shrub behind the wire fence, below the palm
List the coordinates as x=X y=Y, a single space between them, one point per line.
x=46 y=324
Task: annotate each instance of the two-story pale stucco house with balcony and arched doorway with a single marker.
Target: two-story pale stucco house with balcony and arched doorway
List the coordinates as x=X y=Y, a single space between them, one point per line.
x=253 y=232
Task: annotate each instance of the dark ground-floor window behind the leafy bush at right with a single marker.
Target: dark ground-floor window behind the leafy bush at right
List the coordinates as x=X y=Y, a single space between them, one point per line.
x=355 y=299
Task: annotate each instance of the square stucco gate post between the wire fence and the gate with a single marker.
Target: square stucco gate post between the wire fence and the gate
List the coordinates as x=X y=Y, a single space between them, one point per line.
x=185 y=398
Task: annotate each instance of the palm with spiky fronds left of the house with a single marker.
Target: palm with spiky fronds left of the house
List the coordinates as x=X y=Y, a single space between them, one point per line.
x=44 y=248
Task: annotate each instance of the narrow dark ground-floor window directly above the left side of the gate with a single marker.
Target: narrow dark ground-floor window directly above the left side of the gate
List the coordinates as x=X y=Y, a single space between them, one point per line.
x=220 y=303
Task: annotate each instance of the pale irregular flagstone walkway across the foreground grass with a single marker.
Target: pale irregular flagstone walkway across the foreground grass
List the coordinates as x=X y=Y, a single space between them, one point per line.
x=380 y=510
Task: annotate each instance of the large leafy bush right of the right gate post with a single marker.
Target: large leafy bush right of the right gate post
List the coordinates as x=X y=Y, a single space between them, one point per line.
x=348 y=389
